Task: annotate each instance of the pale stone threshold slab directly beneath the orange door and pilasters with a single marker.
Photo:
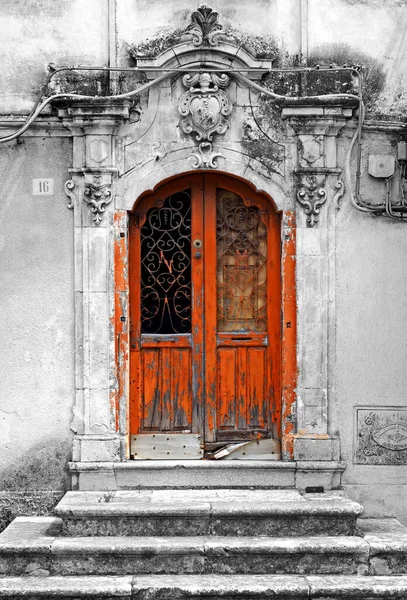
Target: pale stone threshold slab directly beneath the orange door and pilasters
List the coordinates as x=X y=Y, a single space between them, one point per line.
x=200 y=474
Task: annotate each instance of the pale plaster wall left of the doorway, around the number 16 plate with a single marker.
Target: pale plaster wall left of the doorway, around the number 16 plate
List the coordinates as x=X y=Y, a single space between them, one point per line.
x=37 y=317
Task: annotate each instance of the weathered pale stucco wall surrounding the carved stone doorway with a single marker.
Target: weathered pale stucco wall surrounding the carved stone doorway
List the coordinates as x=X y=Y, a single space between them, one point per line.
x=36 y=238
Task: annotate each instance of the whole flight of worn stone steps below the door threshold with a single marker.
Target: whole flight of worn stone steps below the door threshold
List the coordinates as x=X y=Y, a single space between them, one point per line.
x=204 y=544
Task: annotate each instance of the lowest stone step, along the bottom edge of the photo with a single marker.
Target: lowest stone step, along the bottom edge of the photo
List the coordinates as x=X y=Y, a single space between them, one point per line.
x=206 y=587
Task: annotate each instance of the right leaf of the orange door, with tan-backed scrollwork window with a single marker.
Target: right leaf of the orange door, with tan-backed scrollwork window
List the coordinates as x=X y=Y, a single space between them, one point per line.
x=242 y=239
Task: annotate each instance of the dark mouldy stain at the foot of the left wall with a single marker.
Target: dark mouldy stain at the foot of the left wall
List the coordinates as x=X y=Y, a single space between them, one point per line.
x=35 y=484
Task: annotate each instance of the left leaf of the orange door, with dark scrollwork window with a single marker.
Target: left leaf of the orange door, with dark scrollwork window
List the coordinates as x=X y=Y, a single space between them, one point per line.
x=166 y=357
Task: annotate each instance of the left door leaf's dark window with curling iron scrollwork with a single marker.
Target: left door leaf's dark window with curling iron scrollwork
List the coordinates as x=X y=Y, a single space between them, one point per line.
x=166 y=267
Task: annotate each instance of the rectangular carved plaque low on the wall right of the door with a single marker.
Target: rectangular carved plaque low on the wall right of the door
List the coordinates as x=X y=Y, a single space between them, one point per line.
x=381 y=436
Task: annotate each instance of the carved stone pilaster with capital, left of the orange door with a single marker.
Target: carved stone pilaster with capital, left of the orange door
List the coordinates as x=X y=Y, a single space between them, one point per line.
x=91 y=191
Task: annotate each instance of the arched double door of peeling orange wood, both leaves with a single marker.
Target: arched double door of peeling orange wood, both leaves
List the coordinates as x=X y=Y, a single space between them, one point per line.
x=205 y=311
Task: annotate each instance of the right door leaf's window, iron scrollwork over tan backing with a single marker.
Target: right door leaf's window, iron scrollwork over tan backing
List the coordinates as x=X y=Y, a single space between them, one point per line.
x=241 y=265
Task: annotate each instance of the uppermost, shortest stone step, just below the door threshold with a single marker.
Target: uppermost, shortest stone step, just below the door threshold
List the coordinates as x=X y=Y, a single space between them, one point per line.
x=207 y=512
